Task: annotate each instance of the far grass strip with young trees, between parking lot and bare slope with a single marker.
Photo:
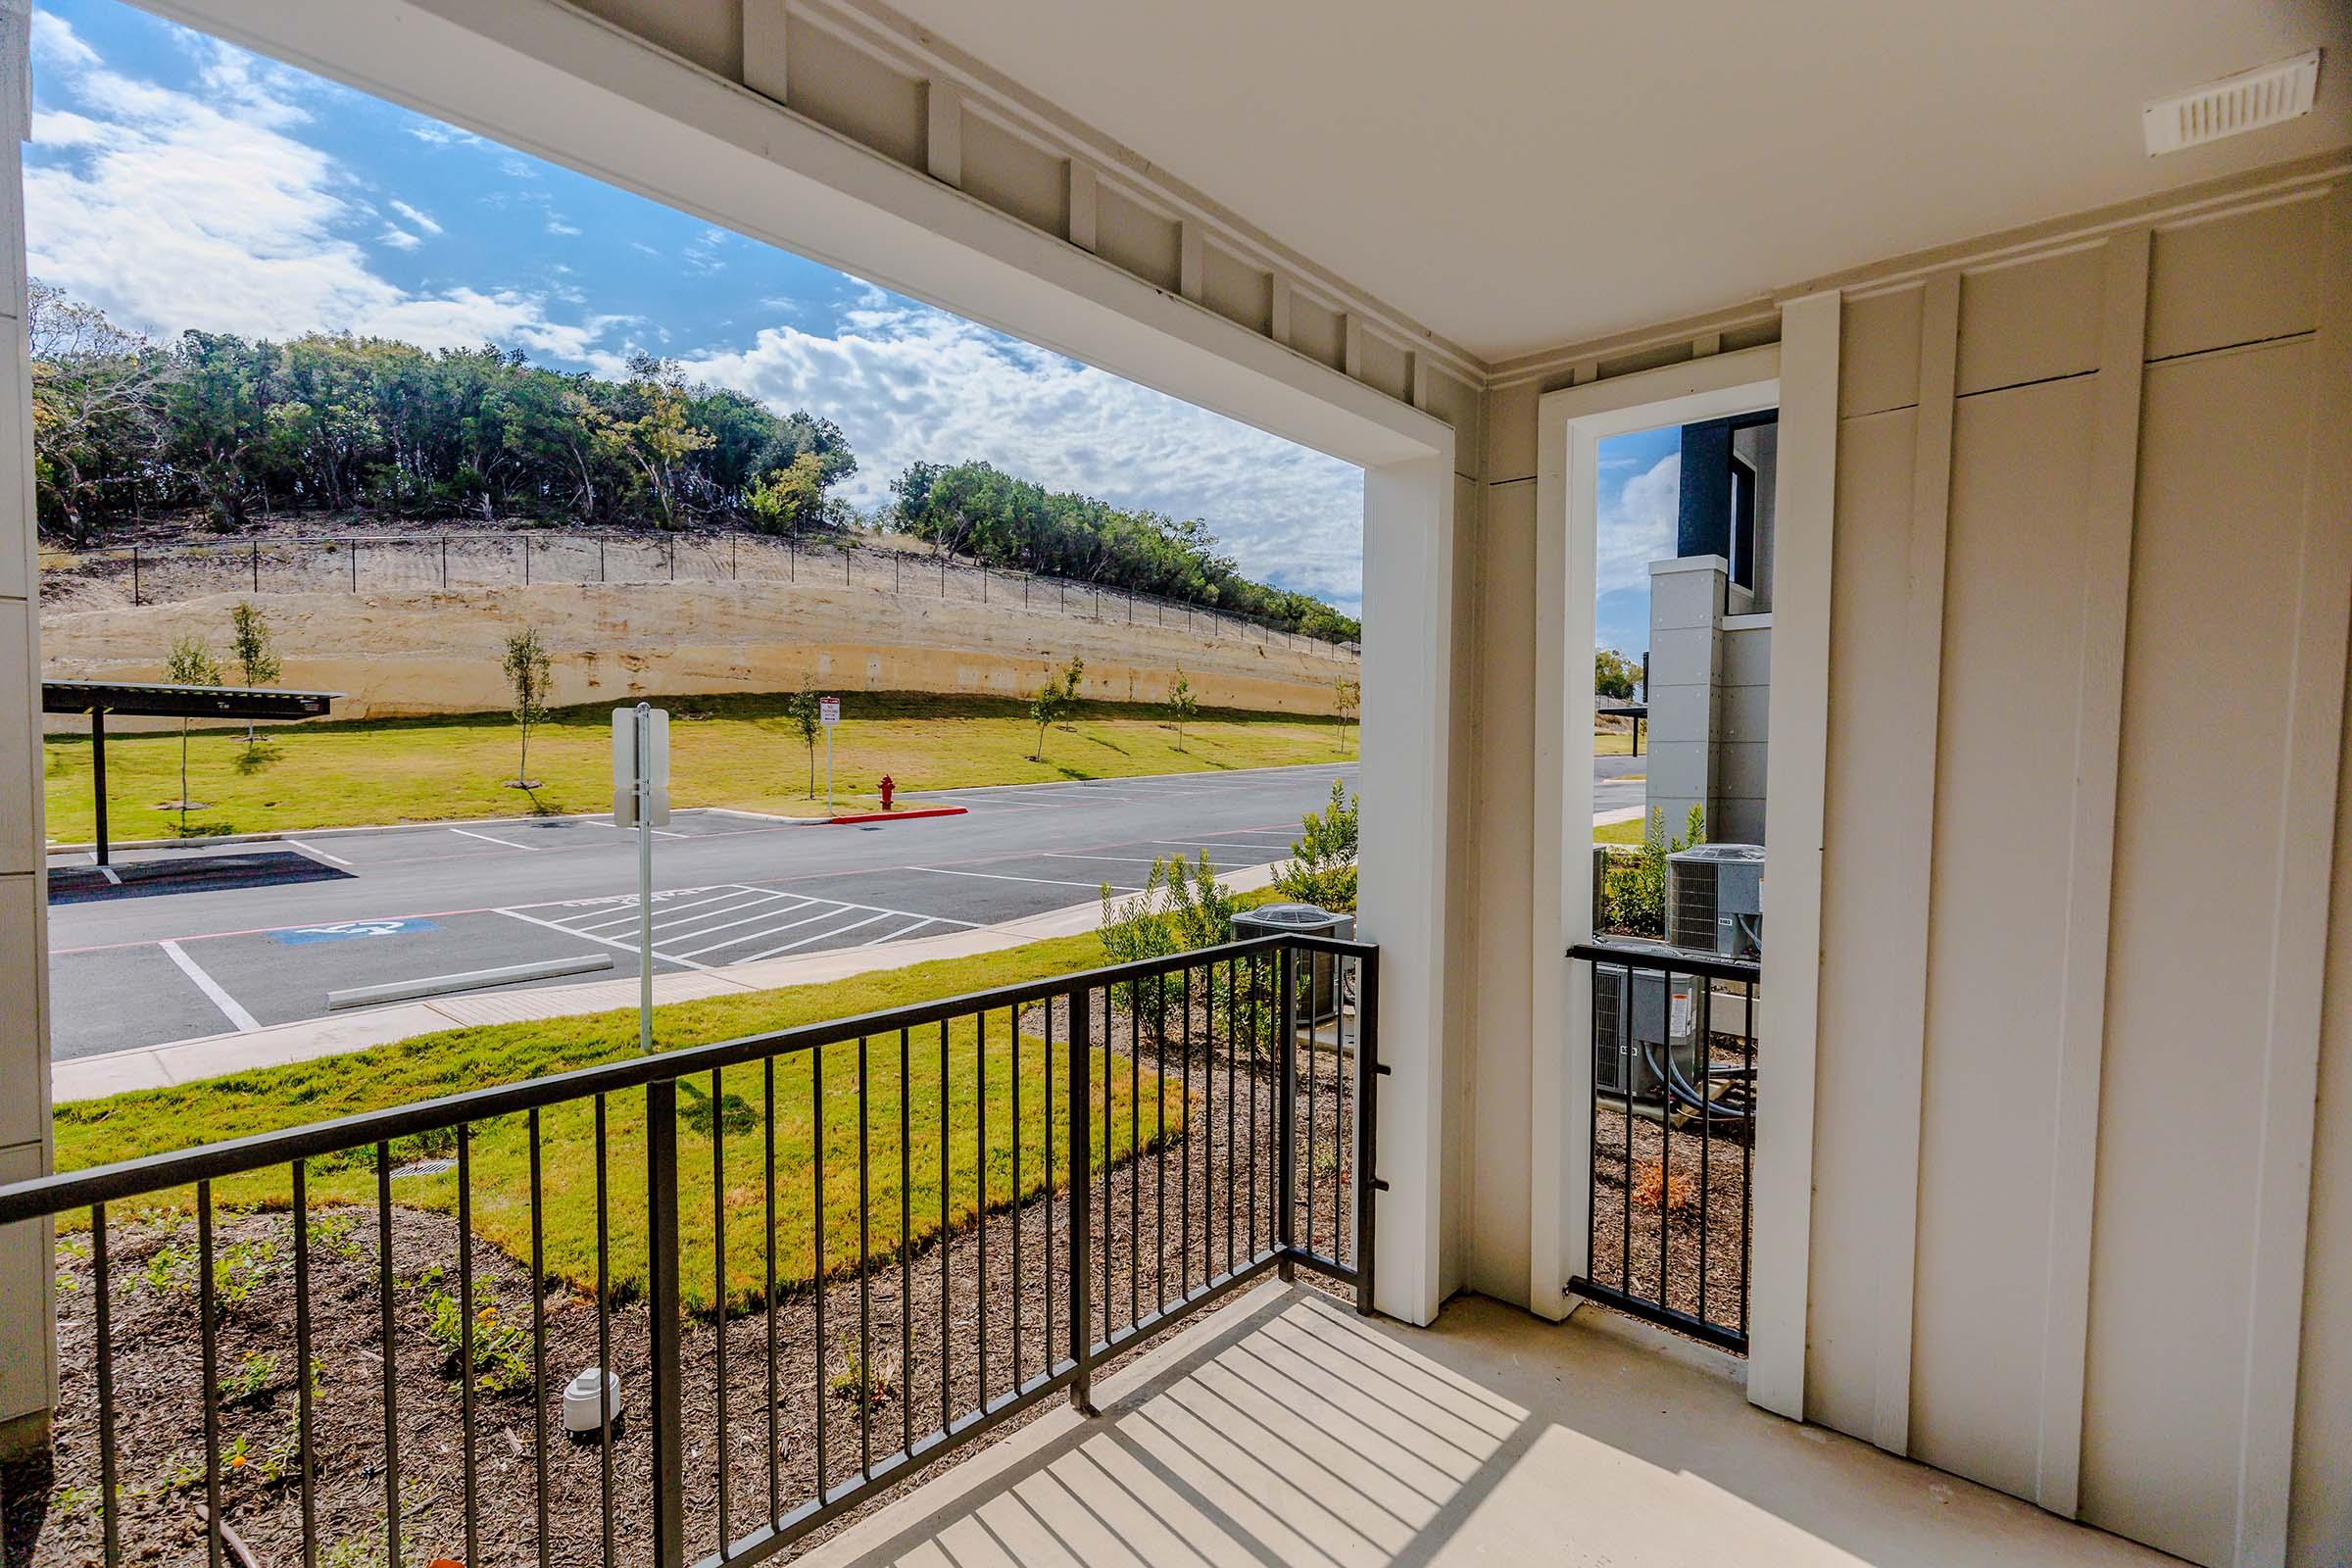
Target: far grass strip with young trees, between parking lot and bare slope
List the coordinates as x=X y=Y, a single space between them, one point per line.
x=726 y=751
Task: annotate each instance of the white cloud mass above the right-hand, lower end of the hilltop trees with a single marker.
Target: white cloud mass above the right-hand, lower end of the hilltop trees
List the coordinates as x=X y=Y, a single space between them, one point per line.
x=916 y=384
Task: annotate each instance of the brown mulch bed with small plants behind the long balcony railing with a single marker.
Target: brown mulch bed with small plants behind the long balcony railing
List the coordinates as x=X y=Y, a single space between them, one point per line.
x=1168 y=1226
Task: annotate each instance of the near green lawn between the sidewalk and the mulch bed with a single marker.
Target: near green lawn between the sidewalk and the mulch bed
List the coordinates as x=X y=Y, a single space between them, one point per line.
x=145 y=1123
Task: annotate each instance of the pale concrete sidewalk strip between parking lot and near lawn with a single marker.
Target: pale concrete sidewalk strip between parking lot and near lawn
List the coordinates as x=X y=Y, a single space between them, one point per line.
x=187 y=1061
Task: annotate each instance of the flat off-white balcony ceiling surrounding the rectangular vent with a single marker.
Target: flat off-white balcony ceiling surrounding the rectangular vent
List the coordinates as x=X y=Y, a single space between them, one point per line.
x=1521 y=175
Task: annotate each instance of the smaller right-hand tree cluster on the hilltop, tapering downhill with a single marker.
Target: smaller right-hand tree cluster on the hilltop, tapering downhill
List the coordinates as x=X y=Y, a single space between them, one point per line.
x=991 y=516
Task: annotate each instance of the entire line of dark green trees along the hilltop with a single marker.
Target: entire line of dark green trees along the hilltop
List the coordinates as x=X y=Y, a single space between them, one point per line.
x=232 y=429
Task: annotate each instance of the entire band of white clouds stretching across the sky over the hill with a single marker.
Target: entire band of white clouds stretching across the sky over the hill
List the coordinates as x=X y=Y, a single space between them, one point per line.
x=206 y=210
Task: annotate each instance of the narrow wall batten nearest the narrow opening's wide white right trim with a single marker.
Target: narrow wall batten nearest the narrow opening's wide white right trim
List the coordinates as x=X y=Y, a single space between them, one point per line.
x=1911 y=786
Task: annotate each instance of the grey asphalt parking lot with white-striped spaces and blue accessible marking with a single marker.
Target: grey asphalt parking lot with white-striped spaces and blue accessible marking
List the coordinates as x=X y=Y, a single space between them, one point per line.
x=180 y=944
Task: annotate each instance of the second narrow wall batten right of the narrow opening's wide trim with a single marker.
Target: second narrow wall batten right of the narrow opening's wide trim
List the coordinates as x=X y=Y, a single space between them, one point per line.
x=2090 y=887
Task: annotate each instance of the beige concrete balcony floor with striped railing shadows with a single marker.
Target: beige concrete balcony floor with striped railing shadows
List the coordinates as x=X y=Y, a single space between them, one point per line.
x=1285 y=1430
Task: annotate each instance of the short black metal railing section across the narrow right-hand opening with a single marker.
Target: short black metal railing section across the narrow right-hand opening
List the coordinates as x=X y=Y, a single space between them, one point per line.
x=1671 y=1137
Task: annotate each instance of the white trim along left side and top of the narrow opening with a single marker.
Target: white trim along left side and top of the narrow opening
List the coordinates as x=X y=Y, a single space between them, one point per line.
x=1570 y=427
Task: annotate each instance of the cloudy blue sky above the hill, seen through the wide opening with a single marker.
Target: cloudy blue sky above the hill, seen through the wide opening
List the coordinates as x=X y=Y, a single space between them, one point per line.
x=180 y=182
